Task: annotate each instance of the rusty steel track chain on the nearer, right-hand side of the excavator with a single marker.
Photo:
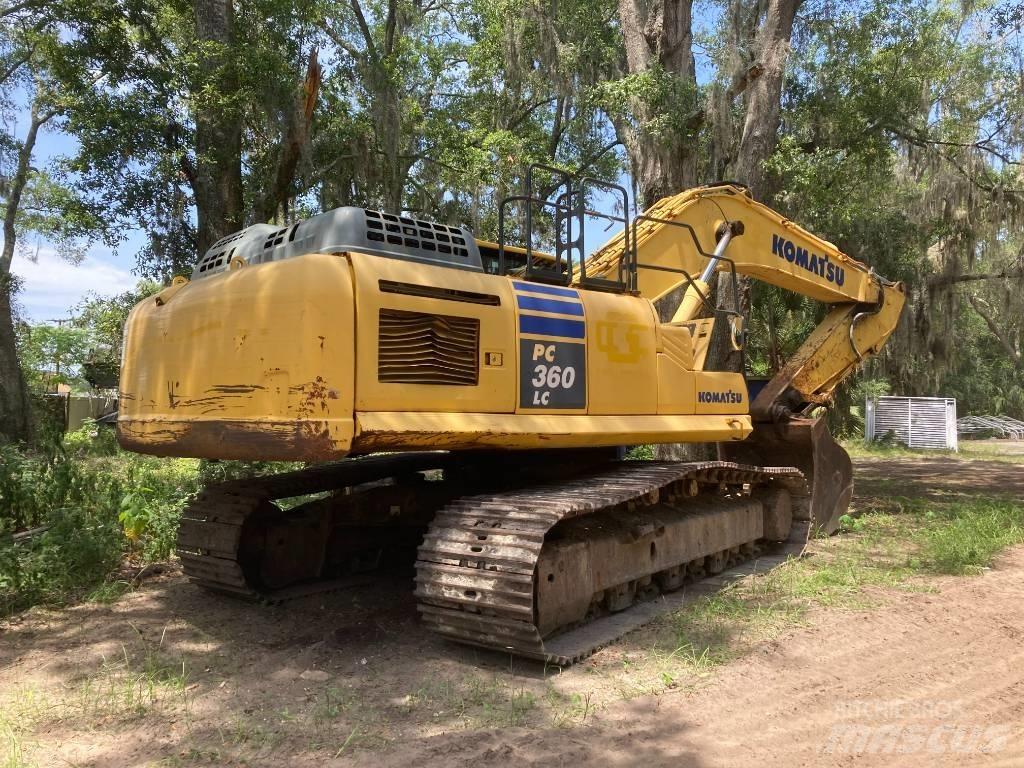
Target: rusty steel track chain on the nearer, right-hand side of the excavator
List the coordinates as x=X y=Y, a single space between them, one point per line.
x=477 y=566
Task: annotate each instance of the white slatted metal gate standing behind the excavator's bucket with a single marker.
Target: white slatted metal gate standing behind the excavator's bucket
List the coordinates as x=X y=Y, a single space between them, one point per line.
x=915 y=422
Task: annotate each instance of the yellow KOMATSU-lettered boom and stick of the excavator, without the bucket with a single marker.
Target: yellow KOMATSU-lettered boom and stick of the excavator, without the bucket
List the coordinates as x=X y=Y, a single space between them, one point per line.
x=684 y=240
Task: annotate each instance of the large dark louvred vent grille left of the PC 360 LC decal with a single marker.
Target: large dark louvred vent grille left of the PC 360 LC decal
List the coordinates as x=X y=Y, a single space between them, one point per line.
x=419 y=349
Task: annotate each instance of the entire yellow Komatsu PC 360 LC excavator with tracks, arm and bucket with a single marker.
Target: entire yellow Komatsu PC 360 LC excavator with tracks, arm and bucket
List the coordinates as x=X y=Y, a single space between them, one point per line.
x=470 y=401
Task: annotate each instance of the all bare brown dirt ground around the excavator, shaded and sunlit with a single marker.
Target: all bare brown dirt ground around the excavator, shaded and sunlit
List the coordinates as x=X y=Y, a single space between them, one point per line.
x=168 y=675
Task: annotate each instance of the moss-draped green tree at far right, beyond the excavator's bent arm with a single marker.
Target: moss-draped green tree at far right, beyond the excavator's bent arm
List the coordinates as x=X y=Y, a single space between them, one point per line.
x=903 y=143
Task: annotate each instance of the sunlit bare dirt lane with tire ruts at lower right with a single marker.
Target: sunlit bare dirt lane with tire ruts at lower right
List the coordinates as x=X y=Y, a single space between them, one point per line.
x=927 y=675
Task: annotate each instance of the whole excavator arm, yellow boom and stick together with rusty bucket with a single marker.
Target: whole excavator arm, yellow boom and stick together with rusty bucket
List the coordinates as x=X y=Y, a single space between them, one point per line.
x=682 y=241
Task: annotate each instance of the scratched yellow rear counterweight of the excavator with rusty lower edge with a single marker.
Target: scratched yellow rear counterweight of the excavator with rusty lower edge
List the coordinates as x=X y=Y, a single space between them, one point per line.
x=271 y=345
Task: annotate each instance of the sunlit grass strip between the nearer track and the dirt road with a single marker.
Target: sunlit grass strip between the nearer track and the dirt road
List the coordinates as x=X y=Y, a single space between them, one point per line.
x=899 y=545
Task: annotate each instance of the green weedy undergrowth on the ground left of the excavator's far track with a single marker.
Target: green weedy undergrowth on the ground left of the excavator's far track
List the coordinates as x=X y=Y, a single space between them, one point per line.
x=94 y=509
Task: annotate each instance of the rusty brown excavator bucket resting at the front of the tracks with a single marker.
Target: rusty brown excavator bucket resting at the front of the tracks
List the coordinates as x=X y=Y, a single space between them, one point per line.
x=808 y=446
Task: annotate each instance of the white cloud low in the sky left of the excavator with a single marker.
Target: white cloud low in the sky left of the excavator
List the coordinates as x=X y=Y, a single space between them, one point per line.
x=52 y=287
